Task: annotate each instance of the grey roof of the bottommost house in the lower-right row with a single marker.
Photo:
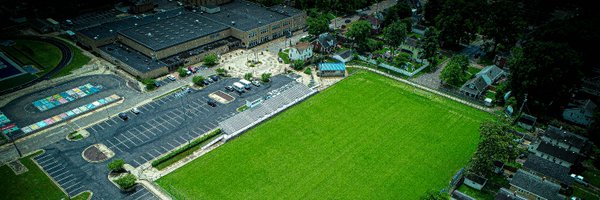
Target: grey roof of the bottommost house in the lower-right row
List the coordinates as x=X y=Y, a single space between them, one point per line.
x=536 y=185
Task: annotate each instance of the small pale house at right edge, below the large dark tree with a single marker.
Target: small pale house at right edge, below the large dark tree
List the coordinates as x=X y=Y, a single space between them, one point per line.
x=580 y=112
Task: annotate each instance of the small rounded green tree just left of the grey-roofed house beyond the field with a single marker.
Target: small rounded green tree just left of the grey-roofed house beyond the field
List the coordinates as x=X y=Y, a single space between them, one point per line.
x=454 y=72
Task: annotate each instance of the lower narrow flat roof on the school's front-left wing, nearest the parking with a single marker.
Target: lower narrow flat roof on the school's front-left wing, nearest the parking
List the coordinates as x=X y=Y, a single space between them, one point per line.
x=131 y=57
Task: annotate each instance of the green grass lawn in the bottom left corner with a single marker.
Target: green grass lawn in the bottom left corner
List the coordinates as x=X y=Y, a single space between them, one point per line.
x=33 y=184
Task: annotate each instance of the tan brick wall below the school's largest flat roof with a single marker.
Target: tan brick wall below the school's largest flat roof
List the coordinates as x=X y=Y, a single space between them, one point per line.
x=177 y=48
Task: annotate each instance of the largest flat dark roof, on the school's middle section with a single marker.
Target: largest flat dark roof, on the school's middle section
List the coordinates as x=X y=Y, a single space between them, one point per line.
x=172 y=31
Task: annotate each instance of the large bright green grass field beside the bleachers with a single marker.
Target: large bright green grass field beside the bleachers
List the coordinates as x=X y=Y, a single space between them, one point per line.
x=367 y=137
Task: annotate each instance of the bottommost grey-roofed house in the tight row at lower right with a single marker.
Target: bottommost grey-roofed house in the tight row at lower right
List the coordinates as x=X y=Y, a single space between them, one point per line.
x=534 y=187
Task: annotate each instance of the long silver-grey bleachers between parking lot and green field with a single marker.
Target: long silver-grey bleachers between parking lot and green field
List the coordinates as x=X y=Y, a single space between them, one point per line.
x=277 y=101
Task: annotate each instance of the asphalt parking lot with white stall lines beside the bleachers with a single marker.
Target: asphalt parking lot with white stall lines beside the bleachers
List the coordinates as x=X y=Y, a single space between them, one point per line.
x=160 y=126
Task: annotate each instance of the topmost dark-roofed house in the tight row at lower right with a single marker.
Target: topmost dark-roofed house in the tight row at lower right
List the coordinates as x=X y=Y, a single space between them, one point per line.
x=564 y=139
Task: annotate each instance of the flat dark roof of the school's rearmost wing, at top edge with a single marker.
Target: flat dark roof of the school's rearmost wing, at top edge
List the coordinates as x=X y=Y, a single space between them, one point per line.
x=246 y=15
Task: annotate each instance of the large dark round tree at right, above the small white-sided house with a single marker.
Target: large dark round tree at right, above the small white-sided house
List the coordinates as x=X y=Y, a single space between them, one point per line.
x=547 y=72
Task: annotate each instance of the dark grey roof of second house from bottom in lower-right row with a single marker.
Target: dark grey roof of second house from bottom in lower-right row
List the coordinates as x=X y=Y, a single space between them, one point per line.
x=548 y=168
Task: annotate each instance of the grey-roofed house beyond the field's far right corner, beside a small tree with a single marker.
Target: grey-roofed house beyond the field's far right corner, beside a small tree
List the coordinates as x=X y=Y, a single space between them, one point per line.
x=476 y=87
